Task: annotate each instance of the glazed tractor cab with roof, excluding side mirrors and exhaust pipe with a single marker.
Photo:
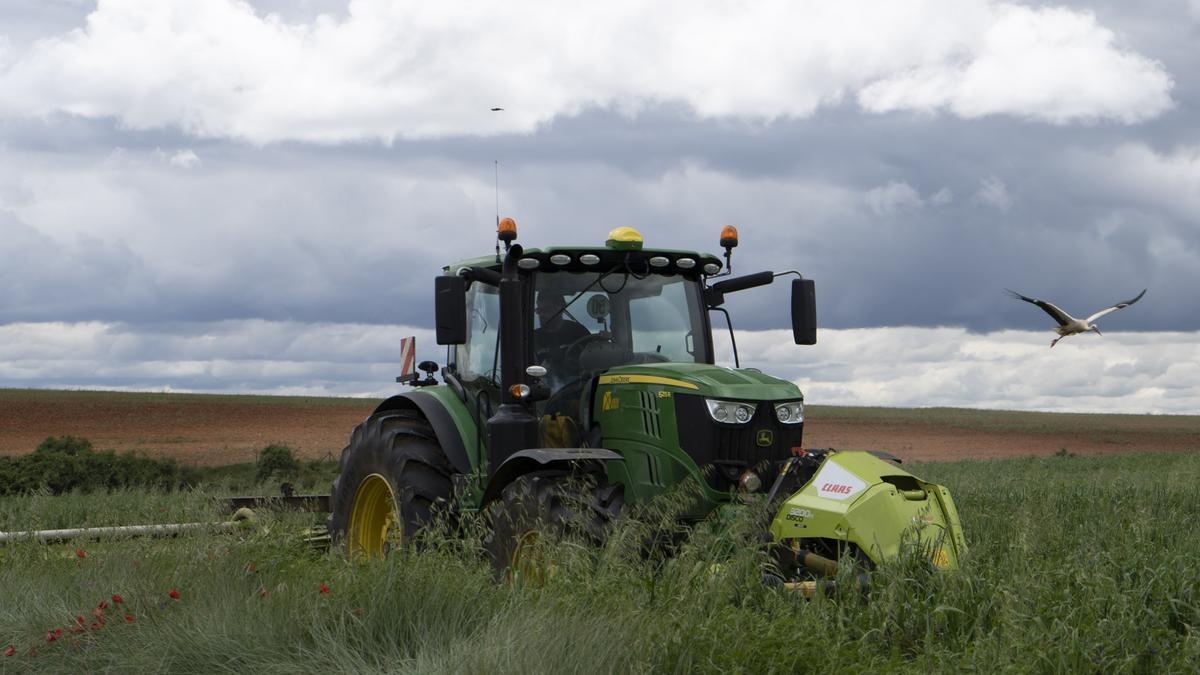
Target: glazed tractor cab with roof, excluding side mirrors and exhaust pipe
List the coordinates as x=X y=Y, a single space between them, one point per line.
x=585 y=310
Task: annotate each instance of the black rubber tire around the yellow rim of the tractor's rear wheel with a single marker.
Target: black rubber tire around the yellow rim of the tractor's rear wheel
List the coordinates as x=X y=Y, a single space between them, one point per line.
x=401 y=447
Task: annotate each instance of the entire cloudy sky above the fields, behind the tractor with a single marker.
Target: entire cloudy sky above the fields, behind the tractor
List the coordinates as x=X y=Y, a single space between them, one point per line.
x=253 y=196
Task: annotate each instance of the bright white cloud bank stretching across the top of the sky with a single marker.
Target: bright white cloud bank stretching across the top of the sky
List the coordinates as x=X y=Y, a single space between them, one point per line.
x=399 y=70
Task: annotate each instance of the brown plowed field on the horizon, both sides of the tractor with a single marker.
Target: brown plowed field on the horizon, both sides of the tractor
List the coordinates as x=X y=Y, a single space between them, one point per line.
x=221 y=429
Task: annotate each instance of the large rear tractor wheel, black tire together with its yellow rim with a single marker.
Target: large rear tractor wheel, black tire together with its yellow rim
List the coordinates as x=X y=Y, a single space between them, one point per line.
x=394 y=480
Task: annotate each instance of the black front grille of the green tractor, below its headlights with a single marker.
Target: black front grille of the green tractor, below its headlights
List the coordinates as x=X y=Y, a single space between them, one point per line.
x=724 y=451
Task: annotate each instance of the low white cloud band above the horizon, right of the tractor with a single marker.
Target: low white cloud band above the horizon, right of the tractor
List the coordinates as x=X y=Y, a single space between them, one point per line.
x=1136 y=373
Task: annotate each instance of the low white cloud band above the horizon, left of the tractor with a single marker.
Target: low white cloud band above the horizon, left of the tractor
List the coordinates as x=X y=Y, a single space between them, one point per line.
x=230 y=356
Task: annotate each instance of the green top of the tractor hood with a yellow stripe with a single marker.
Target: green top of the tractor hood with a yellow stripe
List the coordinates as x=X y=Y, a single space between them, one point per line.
x=706 y=380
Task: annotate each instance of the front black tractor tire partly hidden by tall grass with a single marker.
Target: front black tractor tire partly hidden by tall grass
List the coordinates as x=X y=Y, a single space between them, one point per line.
x=555 y=503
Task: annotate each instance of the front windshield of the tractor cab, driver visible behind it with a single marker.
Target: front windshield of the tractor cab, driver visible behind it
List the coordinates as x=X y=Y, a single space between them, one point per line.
x=592 y=321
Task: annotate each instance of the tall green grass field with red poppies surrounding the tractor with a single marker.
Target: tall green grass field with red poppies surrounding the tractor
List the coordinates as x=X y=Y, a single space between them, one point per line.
x=1076 y=565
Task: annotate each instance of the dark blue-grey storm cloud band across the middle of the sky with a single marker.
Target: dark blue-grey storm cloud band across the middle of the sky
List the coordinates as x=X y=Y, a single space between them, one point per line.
x=355 y=235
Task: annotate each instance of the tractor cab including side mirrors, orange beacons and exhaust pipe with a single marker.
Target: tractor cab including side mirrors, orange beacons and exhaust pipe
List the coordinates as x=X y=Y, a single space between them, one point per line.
x=571 y=315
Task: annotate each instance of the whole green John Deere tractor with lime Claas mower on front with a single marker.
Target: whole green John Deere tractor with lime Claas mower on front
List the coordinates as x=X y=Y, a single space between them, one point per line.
x=581 y=380
